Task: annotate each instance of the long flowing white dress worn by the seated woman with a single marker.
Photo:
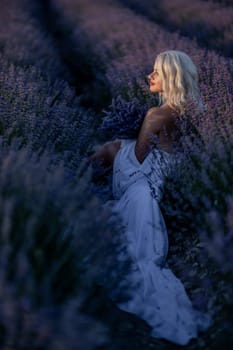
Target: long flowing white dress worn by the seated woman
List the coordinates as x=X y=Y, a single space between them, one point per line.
x=156 y=294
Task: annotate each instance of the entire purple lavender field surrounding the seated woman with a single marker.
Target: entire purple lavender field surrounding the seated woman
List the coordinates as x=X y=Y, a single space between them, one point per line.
x=73 y=75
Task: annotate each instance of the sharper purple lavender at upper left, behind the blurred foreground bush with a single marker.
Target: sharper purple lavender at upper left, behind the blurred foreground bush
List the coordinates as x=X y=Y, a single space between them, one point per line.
x=35 y=105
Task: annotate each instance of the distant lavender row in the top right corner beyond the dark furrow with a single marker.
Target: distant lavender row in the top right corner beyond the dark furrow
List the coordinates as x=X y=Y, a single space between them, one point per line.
x=207 y=22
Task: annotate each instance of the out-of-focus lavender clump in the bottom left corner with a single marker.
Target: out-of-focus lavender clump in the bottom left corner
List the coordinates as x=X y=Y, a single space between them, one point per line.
x=26 y=326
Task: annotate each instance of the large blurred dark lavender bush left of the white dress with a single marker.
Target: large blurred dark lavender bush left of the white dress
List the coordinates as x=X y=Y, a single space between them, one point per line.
x=46 y=262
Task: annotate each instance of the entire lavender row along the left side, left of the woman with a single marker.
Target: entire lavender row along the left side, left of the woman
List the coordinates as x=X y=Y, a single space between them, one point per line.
x=51 y=248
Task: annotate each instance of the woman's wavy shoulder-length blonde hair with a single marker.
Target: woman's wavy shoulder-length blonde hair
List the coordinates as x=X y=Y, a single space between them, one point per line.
x=179 y=80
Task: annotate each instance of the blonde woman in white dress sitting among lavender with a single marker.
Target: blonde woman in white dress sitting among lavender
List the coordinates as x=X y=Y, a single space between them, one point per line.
x=139 y=166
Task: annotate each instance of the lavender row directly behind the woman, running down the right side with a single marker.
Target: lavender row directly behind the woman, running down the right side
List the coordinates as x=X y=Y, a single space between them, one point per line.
x=125 y=46
